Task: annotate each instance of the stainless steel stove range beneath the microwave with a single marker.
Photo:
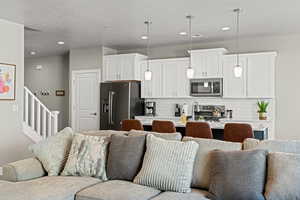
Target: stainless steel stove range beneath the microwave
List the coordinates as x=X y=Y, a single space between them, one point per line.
x=208 y=112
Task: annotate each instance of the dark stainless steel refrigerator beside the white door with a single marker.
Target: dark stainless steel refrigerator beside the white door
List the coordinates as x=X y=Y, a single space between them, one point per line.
x=118 y=101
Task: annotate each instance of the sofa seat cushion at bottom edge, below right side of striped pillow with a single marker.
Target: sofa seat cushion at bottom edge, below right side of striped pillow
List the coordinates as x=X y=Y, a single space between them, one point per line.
x=193 y=195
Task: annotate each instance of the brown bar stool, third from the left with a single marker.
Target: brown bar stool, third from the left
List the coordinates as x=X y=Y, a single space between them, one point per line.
x=198 y=130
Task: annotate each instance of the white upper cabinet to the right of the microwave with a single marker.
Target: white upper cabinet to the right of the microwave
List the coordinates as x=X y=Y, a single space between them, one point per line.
x=257 y=80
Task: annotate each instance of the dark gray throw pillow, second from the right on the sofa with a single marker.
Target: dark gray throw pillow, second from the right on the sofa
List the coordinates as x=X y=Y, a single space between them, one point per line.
x=237 y=175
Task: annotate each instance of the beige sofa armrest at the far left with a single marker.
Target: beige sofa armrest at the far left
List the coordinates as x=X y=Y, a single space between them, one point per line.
x=22 y=170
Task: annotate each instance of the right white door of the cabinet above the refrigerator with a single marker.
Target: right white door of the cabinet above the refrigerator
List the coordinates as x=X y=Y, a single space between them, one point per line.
x=127 y=67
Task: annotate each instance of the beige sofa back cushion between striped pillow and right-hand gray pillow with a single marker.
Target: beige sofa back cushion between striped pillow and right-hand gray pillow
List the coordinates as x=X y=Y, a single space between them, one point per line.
x=202 y=166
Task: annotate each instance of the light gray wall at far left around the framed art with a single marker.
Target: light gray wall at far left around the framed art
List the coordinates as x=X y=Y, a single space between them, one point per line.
x=13 y=143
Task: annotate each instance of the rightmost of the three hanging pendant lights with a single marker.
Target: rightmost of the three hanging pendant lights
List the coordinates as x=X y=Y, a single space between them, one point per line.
x=238 y=70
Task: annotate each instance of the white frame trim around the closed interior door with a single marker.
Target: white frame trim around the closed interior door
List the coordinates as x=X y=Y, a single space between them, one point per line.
x=72 y=95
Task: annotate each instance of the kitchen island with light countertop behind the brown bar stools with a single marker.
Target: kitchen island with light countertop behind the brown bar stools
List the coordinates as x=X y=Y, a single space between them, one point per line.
x=260 y=128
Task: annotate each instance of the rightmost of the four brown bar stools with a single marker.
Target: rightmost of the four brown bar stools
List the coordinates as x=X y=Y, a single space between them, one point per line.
x=235 y=132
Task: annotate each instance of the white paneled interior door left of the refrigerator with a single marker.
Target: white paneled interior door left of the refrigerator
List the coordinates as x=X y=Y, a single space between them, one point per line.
x=85 y=100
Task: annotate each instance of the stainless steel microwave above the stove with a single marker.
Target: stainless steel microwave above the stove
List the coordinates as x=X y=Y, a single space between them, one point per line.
x=212 y=87
